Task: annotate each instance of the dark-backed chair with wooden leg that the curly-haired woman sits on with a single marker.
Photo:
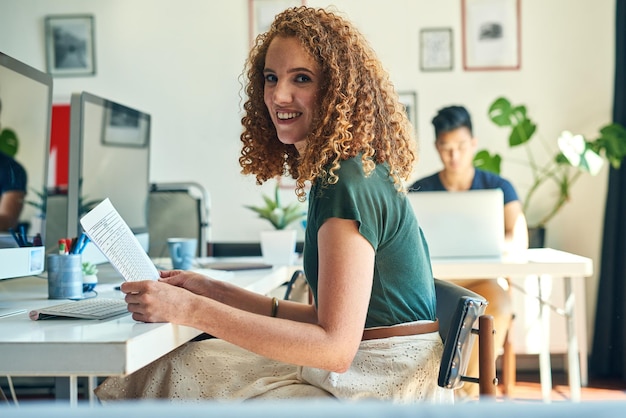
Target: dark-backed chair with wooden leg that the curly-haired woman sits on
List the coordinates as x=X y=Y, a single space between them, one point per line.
x=458 y=309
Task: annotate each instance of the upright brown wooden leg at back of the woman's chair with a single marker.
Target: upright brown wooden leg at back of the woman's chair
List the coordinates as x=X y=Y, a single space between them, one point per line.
x=487 y=380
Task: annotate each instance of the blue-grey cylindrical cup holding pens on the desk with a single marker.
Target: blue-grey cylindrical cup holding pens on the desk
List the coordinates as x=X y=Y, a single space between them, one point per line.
x=65 y=276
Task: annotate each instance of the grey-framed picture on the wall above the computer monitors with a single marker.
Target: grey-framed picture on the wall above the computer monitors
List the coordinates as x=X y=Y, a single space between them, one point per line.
x=70 y=45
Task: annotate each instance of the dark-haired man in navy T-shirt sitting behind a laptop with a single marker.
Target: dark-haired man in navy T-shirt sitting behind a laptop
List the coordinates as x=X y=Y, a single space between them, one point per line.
x=456 y=145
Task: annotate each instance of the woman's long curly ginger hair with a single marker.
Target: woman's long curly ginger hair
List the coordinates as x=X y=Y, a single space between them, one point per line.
x=358 y=108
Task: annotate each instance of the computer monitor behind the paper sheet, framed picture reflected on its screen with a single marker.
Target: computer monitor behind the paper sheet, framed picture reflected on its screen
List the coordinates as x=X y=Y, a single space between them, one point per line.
x=109 y=156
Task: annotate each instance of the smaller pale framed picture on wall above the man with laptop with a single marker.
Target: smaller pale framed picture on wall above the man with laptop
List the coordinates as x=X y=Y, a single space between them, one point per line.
x=436 y=49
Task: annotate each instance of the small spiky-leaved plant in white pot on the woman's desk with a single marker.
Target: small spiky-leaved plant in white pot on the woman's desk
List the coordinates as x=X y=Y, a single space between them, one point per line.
x=278 y=245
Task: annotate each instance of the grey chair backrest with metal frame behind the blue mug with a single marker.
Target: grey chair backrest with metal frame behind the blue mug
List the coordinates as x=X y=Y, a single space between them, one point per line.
x=177 y=210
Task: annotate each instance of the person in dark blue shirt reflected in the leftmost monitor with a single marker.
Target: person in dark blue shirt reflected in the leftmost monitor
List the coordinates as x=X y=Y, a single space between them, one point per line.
x=12 y=187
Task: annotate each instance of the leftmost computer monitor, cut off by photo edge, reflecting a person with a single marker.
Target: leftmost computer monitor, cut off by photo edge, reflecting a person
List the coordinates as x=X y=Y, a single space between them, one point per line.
x=26 y=100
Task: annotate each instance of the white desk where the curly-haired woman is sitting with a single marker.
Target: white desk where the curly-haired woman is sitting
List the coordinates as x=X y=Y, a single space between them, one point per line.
x=73 y=348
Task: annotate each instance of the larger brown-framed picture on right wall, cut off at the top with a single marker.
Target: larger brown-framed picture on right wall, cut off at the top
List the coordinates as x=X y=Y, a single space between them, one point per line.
x=491 y=34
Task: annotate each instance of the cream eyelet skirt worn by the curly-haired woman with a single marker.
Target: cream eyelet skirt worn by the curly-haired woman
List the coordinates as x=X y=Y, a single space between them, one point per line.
x=397 y=369
